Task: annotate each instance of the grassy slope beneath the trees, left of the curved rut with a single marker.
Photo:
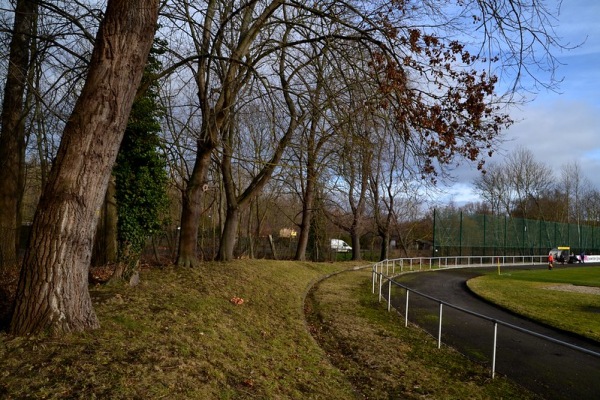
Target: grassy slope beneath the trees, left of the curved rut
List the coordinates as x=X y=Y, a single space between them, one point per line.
x=177 y=335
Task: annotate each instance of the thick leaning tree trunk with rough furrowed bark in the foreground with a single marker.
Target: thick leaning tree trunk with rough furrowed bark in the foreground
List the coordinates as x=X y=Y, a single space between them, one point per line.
x=53 y=290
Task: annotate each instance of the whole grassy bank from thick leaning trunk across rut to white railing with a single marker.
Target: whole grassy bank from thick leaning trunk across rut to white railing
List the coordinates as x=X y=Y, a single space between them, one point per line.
x=237 y=331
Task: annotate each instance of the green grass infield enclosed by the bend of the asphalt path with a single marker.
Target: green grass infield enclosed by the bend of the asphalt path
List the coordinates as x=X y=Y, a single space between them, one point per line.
x=528 y=293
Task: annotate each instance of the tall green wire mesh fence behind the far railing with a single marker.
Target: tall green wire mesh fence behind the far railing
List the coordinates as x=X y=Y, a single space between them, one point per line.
x=459 y=234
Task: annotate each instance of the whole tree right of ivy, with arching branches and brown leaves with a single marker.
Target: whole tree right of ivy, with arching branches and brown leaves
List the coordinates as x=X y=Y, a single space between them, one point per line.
x=450 y=108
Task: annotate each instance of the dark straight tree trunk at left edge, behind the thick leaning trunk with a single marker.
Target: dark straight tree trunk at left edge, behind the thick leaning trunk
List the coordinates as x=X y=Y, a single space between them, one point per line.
x=12 y=136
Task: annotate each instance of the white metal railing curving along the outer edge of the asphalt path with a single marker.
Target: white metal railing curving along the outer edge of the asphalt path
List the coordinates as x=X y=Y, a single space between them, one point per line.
x=410 y=264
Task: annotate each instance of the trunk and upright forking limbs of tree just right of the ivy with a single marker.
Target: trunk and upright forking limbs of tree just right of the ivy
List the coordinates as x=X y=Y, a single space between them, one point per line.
x=223 y=43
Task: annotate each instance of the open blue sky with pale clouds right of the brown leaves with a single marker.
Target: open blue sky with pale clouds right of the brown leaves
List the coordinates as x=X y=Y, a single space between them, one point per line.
x=557 y=127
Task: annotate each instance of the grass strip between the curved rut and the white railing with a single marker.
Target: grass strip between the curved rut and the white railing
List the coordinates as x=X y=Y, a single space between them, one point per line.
x=385 y=360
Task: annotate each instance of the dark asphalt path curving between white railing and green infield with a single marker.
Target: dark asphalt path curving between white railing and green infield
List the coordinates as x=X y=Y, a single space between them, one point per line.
x=552 y=370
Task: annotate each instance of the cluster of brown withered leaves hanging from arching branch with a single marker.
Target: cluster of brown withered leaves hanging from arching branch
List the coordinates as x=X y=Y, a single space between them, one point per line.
x=443 y=105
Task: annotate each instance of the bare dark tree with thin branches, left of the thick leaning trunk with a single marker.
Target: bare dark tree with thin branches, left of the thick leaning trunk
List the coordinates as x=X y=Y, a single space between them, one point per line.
x=50 y=52
